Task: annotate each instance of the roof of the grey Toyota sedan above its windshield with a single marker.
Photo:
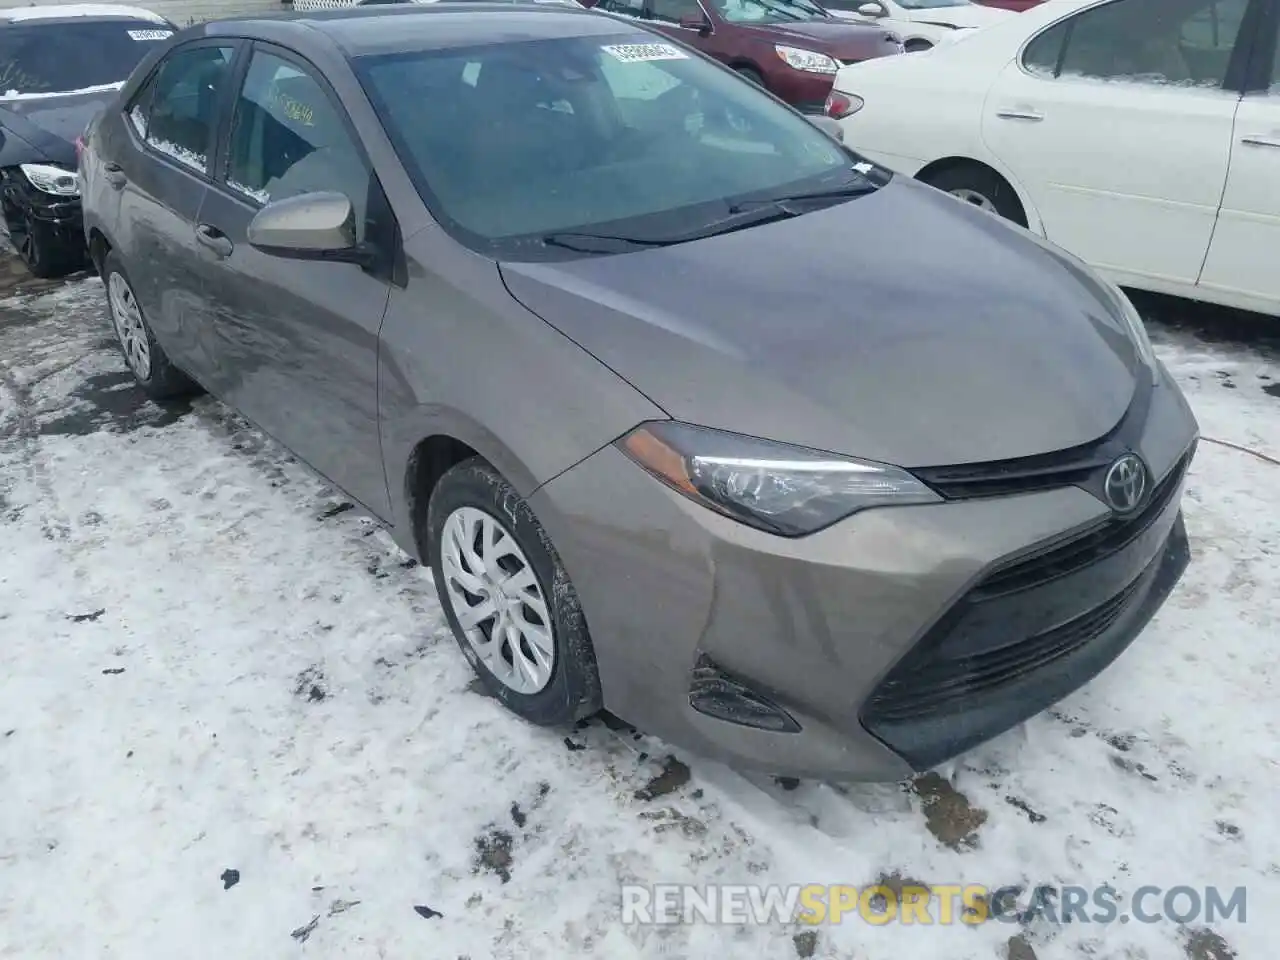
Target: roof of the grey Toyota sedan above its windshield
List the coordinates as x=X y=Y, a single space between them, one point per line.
x=391 y=29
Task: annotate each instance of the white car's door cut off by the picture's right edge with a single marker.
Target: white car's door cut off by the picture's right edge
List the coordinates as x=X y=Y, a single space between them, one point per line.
x=1242 y=259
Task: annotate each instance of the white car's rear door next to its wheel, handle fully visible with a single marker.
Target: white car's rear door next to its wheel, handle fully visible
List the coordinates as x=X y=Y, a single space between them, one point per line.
x=1118 y=122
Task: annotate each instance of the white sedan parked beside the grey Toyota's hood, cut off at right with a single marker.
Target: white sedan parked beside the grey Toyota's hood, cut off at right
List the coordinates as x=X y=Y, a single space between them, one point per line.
x=1144 y=136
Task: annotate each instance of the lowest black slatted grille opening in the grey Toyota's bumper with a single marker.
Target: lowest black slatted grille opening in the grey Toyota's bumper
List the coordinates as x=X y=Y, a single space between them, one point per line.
x=935 y=687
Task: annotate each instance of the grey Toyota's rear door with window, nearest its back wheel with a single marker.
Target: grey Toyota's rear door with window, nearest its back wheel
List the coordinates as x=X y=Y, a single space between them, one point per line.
x=163 y=176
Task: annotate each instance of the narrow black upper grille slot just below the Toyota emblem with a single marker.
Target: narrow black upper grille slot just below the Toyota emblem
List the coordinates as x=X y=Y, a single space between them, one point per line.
x=1086 y=548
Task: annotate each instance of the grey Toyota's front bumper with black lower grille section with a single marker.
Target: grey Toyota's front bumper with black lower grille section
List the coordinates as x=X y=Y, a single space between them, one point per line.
x=866 y=634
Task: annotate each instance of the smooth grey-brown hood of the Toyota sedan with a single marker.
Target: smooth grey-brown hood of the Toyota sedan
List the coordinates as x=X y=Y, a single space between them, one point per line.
x=902 y=327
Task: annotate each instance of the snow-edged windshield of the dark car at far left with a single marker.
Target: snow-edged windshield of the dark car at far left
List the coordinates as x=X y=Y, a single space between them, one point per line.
x=45 y=58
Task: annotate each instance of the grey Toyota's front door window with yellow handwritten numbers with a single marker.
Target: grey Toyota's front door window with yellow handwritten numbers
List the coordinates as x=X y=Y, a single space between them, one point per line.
x=289 y=139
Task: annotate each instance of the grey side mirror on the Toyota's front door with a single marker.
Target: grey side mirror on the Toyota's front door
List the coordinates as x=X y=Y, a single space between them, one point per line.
x=308 y=227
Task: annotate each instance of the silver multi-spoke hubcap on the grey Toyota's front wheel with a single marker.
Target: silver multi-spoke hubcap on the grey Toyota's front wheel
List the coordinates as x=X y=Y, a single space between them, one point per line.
x=497 y=600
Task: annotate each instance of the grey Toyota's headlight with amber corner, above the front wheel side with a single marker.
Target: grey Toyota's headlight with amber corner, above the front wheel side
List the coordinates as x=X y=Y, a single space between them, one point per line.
x=774 y=487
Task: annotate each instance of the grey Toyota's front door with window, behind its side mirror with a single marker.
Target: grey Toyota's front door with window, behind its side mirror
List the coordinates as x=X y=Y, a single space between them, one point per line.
x=299 y=339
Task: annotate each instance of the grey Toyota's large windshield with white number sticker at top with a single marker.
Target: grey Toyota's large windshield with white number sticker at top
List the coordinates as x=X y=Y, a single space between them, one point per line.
x=619 y=135
